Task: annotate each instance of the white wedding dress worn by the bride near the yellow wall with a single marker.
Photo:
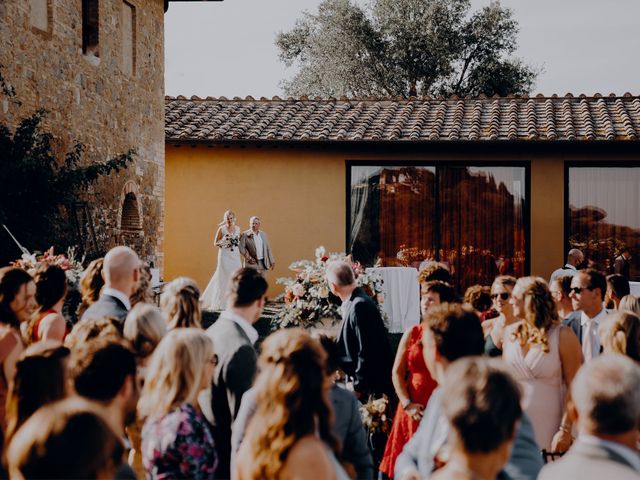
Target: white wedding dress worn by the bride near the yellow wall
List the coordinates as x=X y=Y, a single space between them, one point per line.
x=214 y=296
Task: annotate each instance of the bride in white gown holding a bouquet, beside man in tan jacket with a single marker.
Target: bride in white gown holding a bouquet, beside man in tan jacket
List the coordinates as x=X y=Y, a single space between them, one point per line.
x=227 y=240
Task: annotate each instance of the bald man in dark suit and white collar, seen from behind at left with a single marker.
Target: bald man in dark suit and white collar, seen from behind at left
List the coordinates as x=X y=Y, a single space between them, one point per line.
x=121 y=273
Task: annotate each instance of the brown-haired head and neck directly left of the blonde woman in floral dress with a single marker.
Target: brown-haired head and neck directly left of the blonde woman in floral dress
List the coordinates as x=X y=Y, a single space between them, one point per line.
x=104 y=371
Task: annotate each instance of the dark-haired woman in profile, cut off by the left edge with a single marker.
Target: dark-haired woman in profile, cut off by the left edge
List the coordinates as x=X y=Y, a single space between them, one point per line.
x=17 y=304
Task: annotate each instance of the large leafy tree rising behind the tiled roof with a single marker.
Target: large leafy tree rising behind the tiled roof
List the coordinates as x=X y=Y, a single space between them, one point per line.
x=404 y=48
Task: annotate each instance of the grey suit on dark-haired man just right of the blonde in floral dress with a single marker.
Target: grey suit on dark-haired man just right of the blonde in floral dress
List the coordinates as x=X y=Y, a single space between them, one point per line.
x=232 y=377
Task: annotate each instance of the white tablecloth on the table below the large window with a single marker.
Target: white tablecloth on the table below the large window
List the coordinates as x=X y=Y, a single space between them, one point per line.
x=401 y=296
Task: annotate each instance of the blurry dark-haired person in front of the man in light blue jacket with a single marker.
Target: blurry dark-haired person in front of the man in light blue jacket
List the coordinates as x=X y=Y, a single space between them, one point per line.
x=483 y=410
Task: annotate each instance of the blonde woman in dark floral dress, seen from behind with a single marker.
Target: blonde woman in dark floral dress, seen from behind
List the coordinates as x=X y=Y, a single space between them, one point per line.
x=176 y=441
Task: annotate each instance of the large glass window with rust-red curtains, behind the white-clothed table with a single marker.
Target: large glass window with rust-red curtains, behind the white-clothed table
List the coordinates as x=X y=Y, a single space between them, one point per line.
x=471 y=218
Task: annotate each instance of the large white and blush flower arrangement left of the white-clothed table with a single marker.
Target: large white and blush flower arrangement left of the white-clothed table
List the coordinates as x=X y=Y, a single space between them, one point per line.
x=307 y=297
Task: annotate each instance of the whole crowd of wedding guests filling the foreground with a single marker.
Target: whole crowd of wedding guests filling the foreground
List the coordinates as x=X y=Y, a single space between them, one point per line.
x=490 y=385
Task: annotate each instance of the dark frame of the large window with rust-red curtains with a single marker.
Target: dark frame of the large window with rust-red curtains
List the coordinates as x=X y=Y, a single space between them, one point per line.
x=526 y=211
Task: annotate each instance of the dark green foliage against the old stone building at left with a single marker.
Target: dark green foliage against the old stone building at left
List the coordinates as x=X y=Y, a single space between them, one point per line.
x=36 y=187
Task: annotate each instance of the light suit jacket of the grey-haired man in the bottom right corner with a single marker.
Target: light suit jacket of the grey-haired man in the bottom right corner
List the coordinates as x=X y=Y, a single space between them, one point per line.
x=585 y=461
